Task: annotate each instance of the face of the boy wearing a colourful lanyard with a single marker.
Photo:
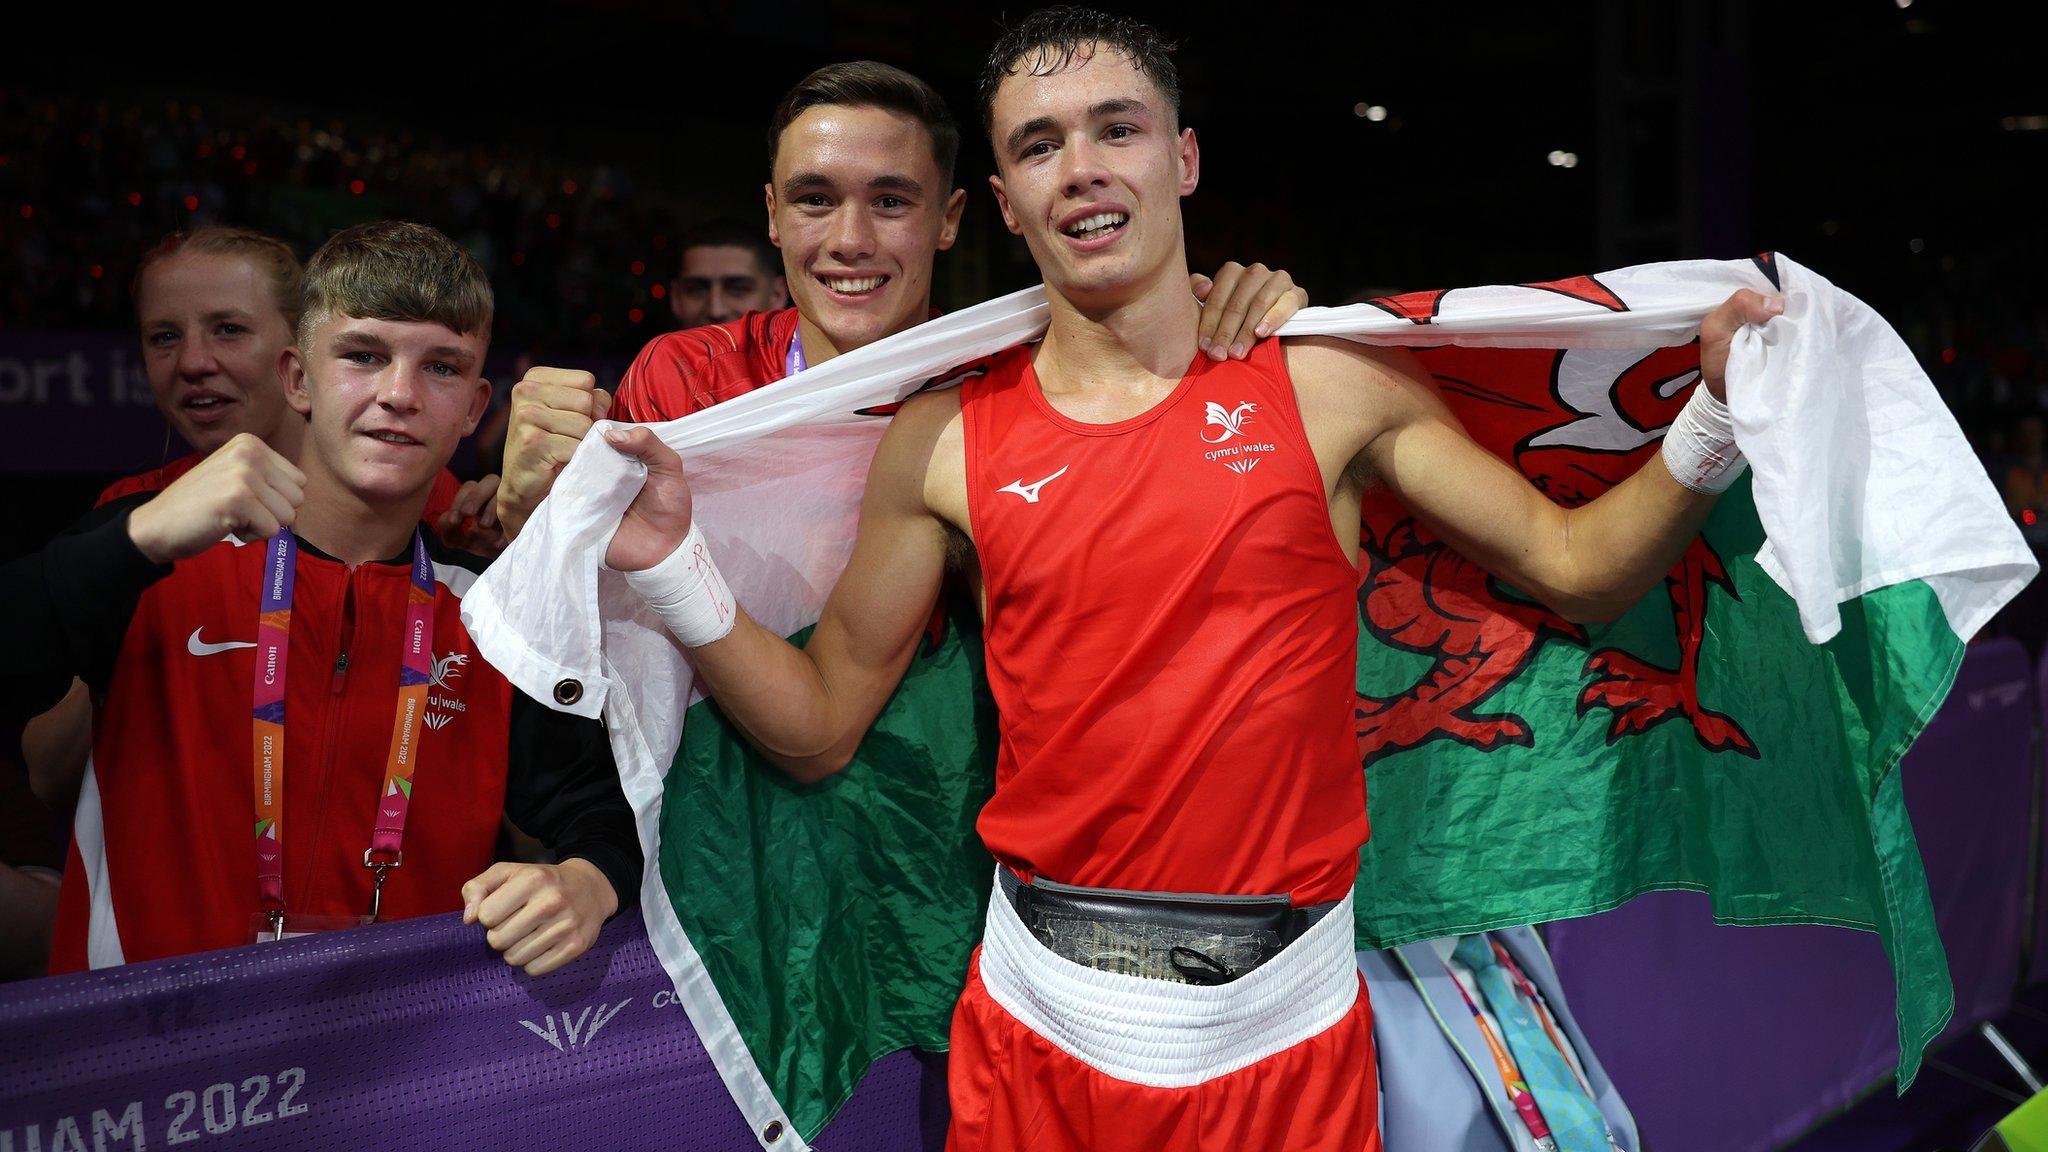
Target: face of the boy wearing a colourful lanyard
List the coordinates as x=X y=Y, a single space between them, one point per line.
x=386 y=401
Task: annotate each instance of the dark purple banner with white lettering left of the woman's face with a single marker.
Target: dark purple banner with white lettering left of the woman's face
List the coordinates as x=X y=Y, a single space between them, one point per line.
x=79 y=403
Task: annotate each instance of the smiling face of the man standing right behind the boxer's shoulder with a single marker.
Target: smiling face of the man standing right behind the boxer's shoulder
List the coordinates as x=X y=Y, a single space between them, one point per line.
x=859 y=210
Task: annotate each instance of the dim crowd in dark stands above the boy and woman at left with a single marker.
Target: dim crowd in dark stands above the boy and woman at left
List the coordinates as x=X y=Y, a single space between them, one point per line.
x=579 y=255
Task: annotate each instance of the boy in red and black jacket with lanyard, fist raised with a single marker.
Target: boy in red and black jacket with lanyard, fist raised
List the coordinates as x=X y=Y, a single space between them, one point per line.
x=294 y=725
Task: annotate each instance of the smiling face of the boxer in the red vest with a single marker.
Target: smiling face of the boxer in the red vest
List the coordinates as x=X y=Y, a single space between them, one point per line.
x=1091 y=173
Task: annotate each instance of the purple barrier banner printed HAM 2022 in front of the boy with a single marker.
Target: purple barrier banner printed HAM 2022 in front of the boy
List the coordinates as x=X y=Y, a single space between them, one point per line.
x=396 y=1036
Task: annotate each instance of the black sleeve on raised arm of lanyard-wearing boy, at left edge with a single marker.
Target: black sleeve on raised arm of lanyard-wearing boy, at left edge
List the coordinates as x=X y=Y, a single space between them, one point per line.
x=69 y=608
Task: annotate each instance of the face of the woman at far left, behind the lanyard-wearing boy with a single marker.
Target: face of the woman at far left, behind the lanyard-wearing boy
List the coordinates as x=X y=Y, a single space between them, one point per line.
x=212 y=333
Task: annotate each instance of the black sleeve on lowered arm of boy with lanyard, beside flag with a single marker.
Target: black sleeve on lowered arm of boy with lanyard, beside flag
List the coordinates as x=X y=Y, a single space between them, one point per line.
x=564 y=790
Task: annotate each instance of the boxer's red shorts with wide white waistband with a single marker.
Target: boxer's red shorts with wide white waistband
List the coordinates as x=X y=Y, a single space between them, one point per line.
x=1054 y=1057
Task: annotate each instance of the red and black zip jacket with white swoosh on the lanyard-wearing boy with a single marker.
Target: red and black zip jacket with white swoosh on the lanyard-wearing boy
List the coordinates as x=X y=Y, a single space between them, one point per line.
x=163 y=860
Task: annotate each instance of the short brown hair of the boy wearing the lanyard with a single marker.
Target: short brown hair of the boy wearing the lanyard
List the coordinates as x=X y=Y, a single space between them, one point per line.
x=396 y=272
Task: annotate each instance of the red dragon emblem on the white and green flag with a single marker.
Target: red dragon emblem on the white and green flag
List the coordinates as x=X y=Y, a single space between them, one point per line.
x=1576 y=423
